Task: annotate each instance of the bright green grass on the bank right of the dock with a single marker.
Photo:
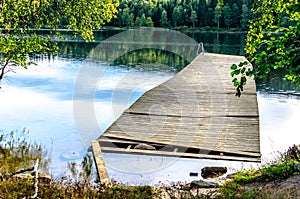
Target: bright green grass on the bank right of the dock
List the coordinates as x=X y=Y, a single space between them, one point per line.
x=287 y=166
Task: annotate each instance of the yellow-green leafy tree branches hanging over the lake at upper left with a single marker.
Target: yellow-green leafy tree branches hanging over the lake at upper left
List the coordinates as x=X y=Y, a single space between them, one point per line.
x=21 y=19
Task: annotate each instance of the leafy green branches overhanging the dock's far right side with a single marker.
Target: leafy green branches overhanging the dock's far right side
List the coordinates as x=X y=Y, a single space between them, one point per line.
x=273 y=41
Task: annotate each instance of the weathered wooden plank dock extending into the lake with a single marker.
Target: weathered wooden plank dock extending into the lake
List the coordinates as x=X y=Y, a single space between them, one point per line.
x=195 y=114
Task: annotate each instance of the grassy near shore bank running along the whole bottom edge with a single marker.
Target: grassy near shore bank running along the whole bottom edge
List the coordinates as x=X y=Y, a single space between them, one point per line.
x=16 y=153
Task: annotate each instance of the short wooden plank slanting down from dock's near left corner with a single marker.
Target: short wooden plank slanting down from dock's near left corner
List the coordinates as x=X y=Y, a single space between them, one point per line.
x=100 y=164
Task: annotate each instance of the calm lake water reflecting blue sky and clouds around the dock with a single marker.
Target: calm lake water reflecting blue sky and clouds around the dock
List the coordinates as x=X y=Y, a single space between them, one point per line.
x=40 y=99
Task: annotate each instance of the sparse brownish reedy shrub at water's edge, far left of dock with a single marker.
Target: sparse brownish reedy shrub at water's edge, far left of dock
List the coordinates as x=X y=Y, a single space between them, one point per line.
x=17 y=153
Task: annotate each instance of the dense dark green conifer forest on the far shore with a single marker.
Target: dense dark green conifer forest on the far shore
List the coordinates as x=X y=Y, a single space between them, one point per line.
x=187 y=13
